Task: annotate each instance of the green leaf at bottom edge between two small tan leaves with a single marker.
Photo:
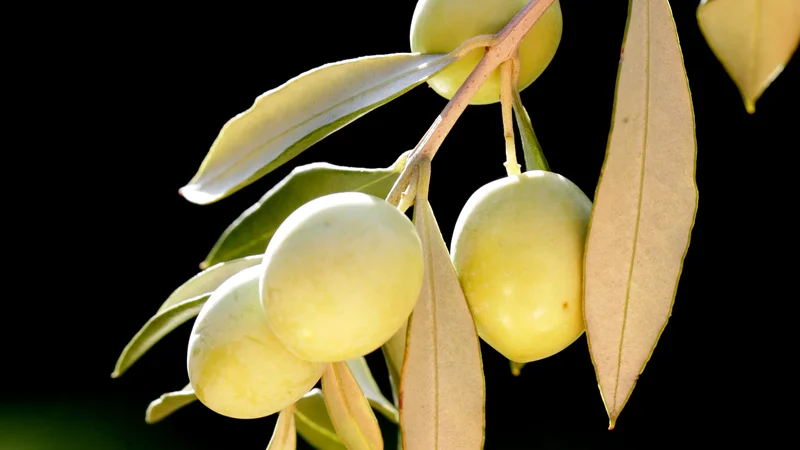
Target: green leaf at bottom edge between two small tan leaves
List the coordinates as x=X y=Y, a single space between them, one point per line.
x=314 y=424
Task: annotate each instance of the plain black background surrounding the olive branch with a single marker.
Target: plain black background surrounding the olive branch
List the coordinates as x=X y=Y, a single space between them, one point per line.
x=126 y=104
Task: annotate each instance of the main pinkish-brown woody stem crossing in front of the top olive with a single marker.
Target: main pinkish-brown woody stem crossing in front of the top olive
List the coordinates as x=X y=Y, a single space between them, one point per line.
x=503 y=46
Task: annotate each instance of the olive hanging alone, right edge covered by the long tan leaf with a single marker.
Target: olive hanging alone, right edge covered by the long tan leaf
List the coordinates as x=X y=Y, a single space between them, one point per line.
x=518 y=249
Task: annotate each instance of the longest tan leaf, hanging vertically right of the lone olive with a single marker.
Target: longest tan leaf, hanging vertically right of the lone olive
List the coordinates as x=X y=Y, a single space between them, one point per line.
x=644 y=207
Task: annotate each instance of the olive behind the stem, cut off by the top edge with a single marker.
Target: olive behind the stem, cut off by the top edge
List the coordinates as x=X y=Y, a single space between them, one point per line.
x=440 y=26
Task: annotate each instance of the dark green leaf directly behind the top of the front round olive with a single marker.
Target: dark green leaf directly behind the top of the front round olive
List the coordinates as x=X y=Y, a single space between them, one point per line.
x=250 y=233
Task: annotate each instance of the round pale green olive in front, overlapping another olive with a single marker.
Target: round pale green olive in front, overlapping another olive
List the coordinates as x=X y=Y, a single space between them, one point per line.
x=340 y=276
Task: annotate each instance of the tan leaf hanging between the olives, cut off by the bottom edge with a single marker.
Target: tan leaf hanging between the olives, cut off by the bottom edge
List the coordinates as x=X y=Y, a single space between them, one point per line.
x=442 y=387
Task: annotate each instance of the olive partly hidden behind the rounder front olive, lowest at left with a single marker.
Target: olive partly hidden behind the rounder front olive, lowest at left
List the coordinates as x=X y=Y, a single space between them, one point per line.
x=237 y=367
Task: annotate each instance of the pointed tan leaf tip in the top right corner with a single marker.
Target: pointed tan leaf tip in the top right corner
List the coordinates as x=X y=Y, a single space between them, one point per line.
x=753 y=40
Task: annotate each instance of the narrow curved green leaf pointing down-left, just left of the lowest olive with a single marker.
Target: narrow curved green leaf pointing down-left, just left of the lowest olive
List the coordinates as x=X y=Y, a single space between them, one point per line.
x=156 y=328
